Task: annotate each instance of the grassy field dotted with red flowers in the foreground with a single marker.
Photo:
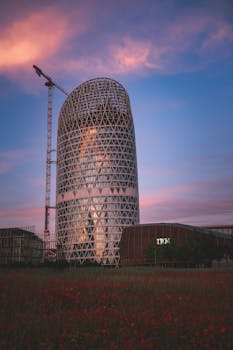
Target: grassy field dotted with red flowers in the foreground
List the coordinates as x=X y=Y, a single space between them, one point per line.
x=127 y=308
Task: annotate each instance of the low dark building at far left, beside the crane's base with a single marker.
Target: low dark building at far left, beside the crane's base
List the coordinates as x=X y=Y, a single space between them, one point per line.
x=20 y=246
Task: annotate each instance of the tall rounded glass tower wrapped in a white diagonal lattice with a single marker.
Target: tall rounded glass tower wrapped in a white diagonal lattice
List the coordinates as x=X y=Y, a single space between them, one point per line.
x=97 y=185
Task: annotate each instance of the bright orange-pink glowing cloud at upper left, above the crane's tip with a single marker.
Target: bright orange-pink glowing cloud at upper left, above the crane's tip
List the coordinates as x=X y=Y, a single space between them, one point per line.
x=33 y=38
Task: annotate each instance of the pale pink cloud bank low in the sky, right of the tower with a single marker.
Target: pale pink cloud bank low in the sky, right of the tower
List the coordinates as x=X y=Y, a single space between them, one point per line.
x=189 y=203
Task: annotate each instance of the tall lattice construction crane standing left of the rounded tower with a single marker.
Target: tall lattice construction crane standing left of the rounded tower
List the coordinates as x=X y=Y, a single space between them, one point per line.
x=49 y=84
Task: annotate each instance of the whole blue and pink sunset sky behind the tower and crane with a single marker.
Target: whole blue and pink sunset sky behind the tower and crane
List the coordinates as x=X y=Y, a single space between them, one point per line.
x=174 y=58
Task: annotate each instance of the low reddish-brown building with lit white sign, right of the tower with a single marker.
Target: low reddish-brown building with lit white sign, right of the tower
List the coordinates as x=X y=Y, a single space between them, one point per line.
x=136 y=239
